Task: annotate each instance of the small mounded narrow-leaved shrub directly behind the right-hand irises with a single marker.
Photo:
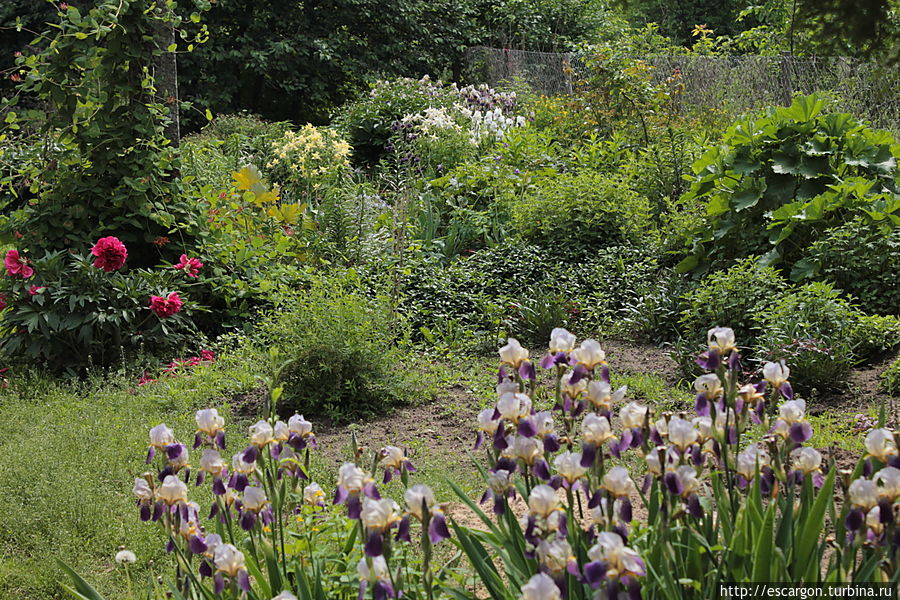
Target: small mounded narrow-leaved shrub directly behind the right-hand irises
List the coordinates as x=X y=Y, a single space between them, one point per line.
x=812 y=329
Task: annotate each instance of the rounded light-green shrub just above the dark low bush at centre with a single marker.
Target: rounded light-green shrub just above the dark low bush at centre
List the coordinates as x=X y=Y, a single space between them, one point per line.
x=583 y=212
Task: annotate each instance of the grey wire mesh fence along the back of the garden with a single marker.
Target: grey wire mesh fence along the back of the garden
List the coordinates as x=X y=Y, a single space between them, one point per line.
x=734 y=84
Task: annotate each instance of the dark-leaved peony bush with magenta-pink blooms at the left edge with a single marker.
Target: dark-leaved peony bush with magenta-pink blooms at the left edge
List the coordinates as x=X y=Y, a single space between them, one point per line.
x=69 y=314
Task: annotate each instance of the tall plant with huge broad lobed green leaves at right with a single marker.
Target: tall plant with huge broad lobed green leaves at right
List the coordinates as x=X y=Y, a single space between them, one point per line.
x=780 y=181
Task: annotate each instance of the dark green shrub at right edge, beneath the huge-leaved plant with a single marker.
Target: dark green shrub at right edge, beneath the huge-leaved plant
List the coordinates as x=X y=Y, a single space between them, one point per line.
x=861 y=260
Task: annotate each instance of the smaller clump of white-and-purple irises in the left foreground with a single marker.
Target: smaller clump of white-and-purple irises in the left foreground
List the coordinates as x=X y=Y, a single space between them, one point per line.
x=260 y=498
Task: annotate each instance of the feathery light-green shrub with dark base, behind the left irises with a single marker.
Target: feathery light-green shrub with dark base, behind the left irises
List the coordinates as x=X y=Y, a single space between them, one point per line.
x=341 y=349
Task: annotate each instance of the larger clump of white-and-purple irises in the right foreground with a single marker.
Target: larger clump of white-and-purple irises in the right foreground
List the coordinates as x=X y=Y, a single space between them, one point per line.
x=745 y=443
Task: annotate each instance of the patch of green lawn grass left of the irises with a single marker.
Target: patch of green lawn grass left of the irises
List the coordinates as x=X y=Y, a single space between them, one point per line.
x=70 y=455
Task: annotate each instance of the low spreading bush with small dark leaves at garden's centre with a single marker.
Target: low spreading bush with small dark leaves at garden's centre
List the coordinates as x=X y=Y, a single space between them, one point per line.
x=518 y=289
